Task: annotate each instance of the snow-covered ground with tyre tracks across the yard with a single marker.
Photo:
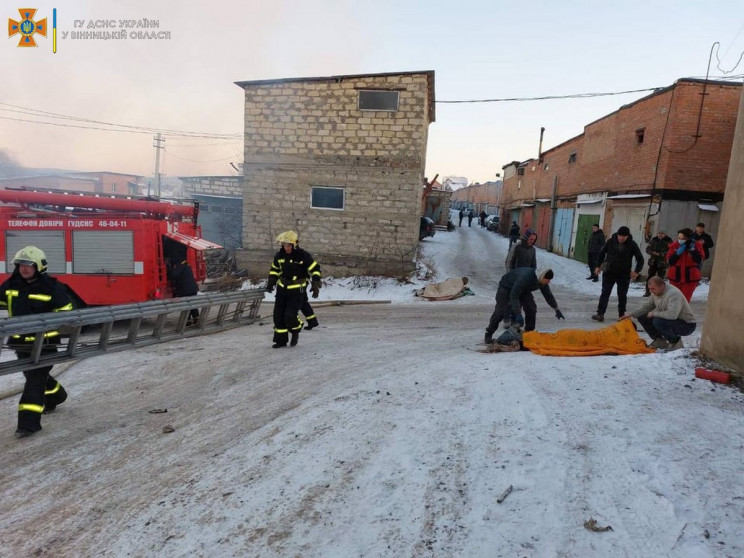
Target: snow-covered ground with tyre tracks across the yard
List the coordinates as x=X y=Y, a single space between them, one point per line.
x=384 y=433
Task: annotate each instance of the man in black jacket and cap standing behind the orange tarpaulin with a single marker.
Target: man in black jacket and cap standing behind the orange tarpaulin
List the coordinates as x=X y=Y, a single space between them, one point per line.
x=615 y=260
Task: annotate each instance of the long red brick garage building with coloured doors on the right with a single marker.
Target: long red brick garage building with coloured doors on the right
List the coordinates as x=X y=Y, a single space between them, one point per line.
x=659 y=163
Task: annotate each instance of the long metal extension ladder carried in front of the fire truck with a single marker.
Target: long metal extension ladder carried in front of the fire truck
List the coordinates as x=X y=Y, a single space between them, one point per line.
x=105 y=329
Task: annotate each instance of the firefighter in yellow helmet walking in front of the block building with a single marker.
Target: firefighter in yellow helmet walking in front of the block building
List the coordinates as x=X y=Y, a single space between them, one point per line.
x=290 y=270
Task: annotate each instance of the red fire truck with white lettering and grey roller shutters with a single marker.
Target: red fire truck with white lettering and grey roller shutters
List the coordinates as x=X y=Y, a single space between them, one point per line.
x=107 y=250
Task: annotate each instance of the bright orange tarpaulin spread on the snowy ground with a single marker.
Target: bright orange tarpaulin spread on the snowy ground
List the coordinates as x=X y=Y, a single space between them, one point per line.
x=619 y=338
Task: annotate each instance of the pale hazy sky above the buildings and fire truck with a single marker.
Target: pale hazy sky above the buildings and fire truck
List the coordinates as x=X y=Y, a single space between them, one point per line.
x=478 y=50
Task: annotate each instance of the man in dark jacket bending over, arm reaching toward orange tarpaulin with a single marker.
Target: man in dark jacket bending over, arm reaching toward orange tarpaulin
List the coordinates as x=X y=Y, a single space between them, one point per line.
x=515 y=293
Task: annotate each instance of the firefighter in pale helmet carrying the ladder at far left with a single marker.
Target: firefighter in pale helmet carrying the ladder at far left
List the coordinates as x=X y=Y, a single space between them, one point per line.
x=29 y=290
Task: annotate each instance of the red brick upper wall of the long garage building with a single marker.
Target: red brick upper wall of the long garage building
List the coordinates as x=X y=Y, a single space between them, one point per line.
x=609 y=157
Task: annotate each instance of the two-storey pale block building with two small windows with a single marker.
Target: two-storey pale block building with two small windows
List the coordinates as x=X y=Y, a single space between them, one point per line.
x=339 y=159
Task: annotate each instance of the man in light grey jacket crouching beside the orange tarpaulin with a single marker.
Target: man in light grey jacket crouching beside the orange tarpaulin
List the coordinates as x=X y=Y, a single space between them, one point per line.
x=666 y=317
